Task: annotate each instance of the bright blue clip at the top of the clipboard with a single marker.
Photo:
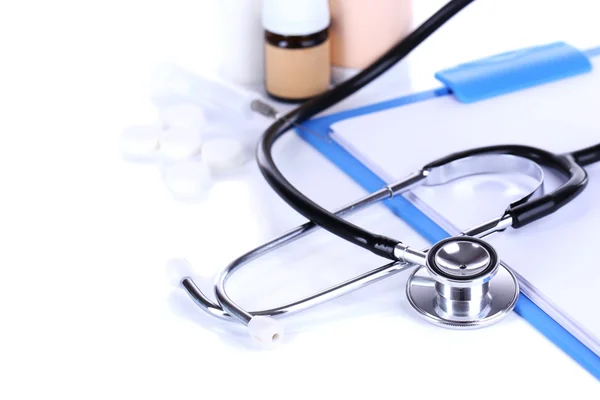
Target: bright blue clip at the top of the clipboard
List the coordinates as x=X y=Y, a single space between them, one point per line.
x=512 y=71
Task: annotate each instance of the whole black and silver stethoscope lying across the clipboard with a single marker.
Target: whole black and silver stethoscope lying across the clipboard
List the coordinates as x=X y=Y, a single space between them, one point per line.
x=459 y=282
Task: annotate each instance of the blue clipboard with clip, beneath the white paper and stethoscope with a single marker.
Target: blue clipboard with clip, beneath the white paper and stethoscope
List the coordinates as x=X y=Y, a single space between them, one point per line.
x=470 y=82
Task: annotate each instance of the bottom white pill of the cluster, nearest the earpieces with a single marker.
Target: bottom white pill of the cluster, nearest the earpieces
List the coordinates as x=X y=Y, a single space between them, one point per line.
x=187 y=180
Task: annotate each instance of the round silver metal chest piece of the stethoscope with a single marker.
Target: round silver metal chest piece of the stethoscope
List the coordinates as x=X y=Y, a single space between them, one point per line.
x=463 y=285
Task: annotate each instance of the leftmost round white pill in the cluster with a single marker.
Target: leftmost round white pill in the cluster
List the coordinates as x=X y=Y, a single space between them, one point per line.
x=140 y=142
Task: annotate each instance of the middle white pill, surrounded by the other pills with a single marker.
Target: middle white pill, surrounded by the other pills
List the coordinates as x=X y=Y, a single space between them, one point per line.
x=179 y=143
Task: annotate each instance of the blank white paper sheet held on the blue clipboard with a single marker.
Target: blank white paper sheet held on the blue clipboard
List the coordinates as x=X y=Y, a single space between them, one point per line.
x=556 y=255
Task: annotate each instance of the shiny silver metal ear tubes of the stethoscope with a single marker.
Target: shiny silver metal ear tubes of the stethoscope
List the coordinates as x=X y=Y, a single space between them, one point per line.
x=227 y=309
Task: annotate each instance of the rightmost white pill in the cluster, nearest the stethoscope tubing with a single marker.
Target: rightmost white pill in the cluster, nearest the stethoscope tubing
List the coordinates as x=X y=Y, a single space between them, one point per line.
x=224 y=154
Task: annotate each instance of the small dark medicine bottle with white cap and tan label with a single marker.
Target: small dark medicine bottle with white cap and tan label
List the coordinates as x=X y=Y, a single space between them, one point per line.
x=297 y=52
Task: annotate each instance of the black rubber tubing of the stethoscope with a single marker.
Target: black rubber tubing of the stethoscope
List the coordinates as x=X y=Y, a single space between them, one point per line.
x=570 y=165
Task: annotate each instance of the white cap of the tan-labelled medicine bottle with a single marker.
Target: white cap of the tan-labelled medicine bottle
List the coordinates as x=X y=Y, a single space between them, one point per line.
x=295 y=17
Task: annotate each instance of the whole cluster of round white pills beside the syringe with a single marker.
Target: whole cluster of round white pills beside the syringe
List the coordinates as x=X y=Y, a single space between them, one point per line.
x=187 y=149
